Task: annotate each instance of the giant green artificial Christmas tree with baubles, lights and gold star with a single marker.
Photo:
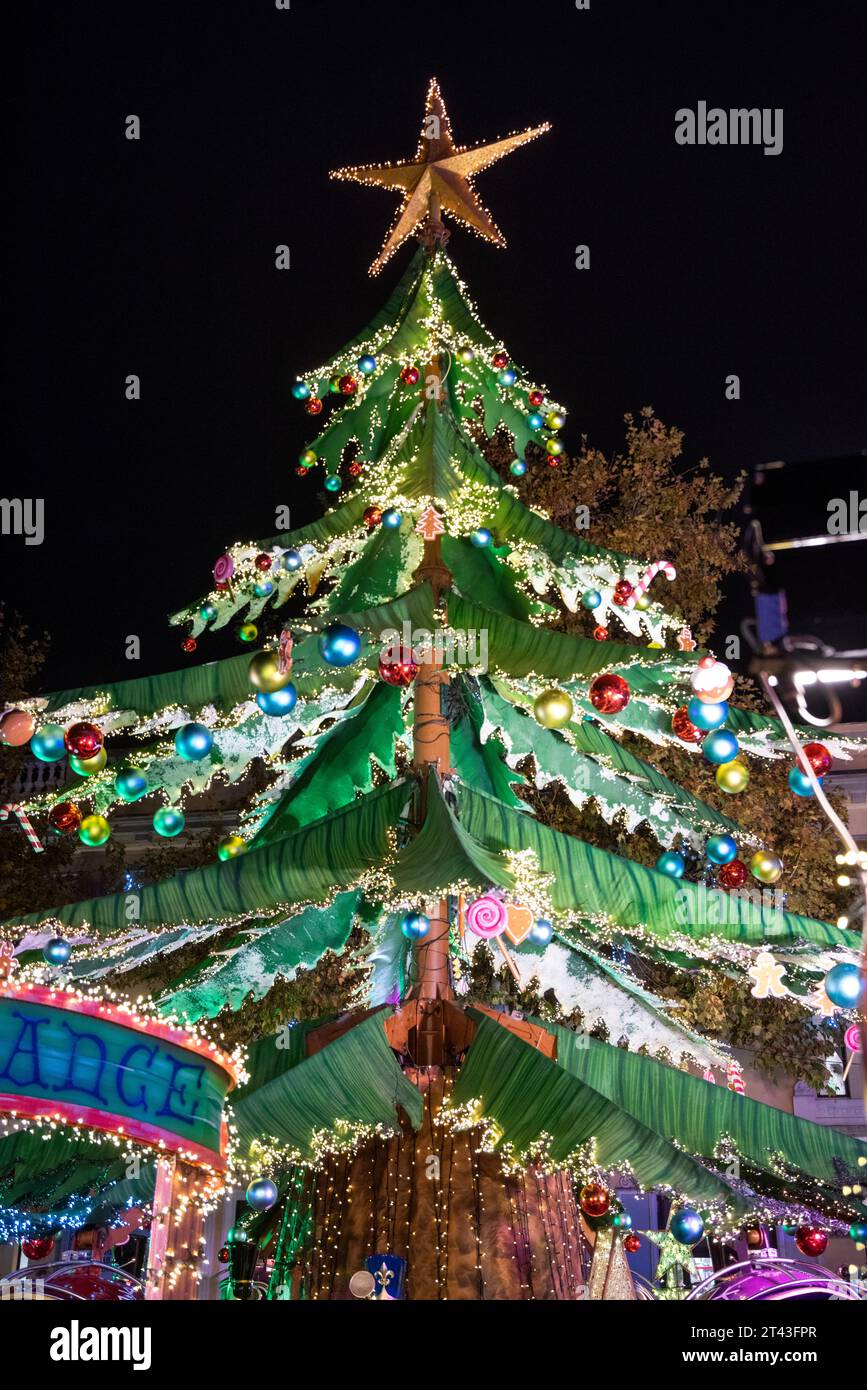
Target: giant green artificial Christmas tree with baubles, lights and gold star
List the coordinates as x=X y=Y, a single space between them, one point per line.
x=399 y=712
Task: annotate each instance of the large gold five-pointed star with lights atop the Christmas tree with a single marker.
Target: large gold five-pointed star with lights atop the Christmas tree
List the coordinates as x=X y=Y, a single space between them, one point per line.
x=438 y=180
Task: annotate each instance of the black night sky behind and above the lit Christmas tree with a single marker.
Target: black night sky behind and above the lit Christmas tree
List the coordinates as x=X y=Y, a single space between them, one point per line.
x=158 y=258
